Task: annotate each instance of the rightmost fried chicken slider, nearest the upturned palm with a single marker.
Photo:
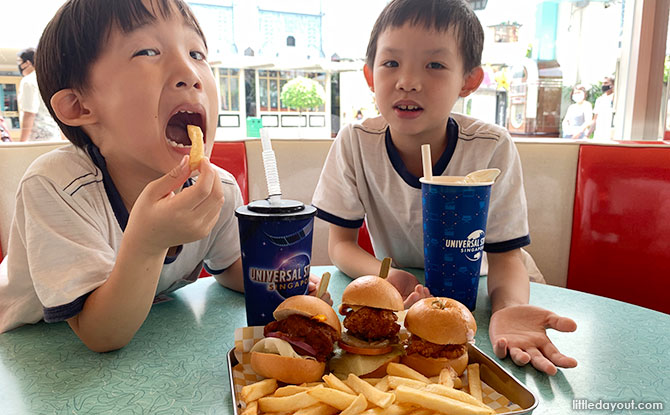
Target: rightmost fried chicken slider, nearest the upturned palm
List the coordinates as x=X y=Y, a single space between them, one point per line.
x=440 y=328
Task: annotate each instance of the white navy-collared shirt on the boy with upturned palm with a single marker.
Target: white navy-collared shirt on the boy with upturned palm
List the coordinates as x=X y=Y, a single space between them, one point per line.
x=364 y=178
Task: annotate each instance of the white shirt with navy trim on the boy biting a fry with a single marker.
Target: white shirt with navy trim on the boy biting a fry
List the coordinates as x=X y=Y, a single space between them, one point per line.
x=67 y=231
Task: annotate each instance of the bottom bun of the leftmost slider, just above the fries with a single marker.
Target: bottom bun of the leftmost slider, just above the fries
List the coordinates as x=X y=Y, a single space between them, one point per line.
x=287 y=369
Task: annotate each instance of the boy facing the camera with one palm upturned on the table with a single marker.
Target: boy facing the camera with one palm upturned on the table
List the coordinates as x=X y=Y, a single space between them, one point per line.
x=422 y=56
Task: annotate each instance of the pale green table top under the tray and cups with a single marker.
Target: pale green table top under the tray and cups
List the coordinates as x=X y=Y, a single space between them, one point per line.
x=176 y=364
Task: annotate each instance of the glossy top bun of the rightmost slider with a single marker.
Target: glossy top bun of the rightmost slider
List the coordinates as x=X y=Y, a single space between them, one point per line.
x=441 y=320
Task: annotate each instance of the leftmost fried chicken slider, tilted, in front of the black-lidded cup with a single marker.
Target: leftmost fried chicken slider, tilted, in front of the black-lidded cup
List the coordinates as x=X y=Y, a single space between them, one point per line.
x=298 y=344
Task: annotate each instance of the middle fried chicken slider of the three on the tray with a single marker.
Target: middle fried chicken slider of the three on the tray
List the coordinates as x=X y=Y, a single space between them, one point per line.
x=370 y=340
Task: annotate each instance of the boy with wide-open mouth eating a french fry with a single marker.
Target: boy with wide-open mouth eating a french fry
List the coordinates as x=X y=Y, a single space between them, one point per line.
x=108 y=225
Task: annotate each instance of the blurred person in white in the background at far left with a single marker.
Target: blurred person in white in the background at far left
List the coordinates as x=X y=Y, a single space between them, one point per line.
x=36 y=122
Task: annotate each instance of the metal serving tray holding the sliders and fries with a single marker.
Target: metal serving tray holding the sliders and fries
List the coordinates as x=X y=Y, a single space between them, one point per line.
x=489 y=371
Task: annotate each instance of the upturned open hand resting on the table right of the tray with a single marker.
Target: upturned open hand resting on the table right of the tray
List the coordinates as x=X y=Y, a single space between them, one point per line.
x=520 y=330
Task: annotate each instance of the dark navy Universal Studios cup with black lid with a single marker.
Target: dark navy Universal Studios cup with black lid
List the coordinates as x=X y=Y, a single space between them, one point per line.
x=276 y=245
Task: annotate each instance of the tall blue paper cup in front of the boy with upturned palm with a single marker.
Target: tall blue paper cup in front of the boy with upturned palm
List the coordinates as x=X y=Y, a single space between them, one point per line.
x=454 y=229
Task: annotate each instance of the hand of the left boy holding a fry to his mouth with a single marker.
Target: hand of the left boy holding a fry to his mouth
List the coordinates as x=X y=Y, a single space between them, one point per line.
x=161 y=219
